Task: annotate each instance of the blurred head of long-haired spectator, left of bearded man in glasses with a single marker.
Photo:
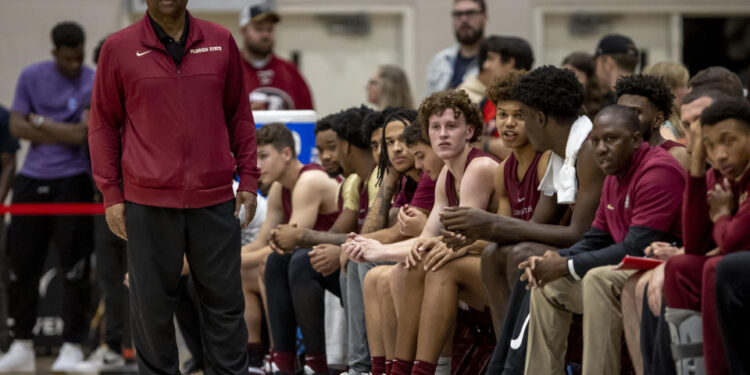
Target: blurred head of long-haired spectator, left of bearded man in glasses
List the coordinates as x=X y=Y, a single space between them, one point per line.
x=389 y=87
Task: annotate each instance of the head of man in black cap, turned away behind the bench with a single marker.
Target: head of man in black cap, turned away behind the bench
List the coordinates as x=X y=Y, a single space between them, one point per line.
x=616 y=56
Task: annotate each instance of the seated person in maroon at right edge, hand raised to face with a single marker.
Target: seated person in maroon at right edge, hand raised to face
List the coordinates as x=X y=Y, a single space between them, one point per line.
x=719 y=221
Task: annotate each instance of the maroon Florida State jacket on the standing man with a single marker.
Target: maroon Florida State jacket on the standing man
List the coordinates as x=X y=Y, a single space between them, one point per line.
x=163 y=135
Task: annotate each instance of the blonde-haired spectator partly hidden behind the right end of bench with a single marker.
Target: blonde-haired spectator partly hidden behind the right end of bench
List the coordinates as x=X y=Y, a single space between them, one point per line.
x=676 y=77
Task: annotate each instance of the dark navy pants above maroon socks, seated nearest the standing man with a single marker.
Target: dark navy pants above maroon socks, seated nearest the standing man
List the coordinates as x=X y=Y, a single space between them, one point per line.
x=295 y=293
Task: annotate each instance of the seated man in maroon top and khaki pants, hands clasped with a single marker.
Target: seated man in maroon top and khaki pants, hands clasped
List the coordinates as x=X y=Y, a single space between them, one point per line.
x=640 y=204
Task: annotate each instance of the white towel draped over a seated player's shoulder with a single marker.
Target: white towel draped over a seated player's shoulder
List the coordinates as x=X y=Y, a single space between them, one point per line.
x=561 y=177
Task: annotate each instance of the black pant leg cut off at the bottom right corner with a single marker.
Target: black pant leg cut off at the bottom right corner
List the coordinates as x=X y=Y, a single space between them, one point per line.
x=733 y=307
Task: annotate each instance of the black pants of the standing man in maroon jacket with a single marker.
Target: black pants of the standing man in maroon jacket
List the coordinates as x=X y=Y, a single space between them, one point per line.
x=210 y=238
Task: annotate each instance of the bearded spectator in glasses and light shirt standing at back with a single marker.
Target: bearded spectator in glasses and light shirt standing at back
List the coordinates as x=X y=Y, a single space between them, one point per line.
x=453 y=65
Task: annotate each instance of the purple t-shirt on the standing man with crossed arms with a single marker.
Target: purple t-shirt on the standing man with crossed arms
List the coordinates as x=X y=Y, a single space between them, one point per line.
x=43 y=90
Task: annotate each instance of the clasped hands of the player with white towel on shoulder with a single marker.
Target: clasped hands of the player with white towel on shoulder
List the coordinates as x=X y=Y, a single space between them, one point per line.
x=473 y=223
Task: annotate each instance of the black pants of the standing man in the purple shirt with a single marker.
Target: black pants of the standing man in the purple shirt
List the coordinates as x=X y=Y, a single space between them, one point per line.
x=28 y=240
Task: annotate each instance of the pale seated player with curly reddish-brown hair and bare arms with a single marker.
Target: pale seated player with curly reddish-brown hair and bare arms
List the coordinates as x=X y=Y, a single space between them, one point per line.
x=452 y=124
